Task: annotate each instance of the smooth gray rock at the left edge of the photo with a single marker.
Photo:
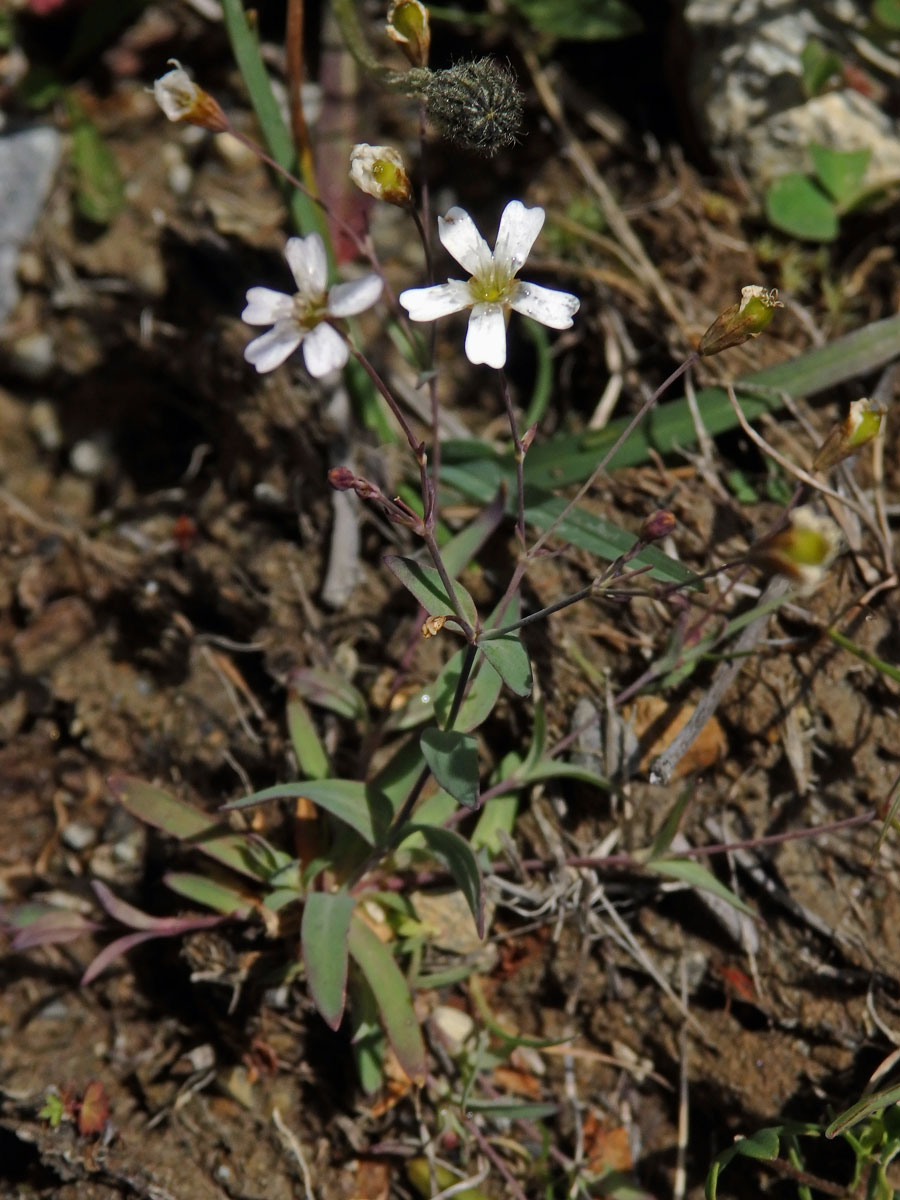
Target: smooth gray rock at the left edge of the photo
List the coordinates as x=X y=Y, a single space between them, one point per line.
x=28 y=163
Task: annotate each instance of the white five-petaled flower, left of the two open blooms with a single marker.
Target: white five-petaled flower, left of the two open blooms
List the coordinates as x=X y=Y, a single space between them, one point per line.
x=304 y=317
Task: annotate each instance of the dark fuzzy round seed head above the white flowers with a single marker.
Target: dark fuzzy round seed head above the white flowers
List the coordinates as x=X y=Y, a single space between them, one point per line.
x=477 y=105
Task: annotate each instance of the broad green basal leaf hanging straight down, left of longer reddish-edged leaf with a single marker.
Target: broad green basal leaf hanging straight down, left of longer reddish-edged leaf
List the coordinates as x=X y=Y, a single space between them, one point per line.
x=325 y=935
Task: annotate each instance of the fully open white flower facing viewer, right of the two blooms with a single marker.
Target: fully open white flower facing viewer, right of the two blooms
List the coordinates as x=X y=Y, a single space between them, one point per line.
x=494 y=289
